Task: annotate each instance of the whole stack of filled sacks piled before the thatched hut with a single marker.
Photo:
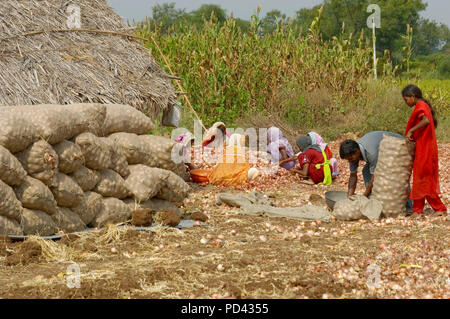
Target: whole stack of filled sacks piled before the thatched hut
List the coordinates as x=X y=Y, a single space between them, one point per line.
x=69 y=167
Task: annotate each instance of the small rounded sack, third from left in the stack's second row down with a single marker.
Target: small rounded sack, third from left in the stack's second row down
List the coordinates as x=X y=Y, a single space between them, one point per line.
x=70 y=157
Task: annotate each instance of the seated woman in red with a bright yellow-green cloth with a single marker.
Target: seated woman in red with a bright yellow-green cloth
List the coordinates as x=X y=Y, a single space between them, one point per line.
x=313 y=163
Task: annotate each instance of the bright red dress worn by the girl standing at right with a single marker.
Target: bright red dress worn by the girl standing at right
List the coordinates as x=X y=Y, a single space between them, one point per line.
x=426 y=164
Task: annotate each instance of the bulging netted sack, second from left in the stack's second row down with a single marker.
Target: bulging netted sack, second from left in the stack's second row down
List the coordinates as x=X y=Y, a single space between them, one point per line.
x=40 y=161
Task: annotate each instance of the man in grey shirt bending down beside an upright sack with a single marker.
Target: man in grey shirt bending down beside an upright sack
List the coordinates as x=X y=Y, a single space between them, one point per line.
x=365 y=149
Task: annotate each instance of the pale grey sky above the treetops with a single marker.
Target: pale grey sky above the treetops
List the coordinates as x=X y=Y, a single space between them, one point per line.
x=438 y=10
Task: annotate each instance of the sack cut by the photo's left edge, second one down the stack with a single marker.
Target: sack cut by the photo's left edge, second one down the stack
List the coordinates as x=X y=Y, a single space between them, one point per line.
x=11 y=171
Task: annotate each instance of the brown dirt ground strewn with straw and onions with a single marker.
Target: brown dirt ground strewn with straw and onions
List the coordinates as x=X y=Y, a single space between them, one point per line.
x=238 y=256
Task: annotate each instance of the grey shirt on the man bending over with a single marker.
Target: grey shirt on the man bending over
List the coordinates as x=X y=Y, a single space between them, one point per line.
x=369 y=145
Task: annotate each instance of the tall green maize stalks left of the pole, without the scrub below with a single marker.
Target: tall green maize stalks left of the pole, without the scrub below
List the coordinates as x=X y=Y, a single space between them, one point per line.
x=228 y=73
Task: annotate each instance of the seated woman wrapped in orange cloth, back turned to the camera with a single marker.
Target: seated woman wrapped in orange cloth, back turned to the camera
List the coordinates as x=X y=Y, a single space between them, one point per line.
x=234 y=168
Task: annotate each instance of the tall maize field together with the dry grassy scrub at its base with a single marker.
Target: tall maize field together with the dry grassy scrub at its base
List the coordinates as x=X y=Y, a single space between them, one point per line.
x=292 y=76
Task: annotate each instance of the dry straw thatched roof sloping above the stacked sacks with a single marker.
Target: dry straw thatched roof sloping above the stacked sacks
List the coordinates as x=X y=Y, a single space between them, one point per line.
x=42 y=64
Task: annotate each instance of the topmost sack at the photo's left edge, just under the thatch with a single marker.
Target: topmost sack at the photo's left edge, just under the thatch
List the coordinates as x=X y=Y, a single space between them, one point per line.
x=16 y=133
